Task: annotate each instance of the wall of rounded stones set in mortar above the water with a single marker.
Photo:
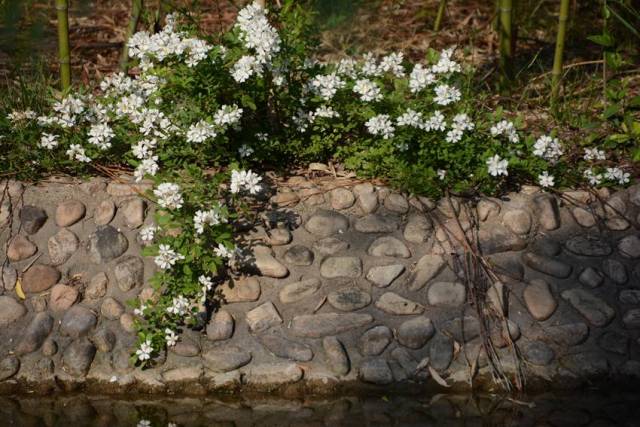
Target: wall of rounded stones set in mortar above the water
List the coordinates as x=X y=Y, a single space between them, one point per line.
x=355 y=287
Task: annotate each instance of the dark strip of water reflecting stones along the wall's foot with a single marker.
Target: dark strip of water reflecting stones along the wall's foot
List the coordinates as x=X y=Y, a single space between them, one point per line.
x=578 y=409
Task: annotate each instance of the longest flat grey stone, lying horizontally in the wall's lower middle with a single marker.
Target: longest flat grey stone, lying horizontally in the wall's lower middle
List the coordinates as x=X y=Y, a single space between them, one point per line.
x=324 y=324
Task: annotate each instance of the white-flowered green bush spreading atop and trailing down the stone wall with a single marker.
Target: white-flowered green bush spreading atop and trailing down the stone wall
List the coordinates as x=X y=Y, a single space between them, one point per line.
x=202 y=111
